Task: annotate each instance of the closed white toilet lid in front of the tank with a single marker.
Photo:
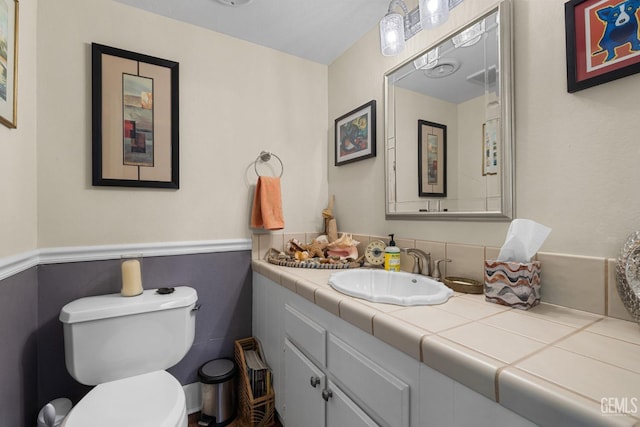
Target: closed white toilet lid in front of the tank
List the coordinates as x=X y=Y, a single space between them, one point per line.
x=155 y=399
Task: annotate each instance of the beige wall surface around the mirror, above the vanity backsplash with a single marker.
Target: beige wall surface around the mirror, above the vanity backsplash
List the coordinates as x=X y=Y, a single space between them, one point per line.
x=576 y=154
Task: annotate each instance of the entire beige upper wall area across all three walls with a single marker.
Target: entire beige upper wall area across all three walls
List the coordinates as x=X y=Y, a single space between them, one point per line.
x=576 y=165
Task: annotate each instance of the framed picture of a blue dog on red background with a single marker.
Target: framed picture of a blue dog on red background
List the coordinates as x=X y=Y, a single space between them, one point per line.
x=602 y=41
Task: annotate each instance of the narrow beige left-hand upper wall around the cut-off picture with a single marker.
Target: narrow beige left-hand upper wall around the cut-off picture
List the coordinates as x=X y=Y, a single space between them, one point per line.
x=18 y=172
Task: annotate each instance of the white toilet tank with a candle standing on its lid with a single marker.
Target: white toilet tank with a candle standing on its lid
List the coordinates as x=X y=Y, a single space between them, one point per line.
x=110 y=337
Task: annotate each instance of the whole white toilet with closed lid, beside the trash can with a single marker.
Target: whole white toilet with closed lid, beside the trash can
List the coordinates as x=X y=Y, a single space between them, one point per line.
x=122 y=345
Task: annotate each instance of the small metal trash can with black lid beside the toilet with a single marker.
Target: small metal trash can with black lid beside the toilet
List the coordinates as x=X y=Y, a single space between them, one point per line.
x=217 y=378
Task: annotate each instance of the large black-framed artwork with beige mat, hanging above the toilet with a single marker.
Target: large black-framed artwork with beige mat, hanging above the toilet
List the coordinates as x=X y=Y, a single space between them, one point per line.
x=135 y=119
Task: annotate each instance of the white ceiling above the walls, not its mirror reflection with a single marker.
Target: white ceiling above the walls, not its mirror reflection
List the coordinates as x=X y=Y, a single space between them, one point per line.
x=317 y=30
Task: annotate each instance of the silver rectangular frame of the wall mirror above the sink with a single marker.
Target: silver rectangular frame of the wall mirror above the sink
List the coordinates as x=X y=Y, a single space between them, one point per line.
x=507 y=133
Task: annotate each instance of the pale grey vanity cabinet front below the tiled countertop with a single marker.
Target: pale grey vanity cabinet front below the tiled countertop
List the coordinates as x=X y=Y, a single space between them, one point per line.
x=366 y=382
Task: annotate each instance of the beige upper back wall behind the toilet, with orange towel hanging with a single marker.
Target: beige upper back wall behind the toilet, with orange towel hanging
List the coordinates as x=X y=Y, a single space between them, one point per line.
x=236 y=99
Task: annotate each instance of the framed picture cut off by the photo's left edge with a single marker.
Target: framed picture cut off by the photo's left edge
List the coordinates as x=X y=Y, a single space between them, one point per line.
x=9 y=63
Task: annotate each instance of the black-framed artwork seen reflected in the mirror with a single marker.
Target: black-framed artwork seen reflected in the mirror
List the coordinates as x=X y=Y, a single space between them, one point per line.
x=432 y=159
